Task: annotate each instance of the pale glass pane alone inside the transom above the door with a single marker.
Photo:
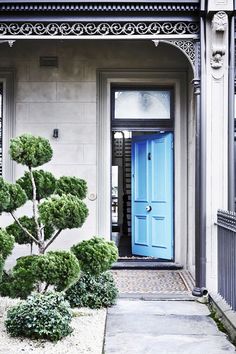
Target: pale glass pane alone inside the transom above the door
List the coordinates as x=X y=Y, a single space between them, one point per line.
x=142 y=104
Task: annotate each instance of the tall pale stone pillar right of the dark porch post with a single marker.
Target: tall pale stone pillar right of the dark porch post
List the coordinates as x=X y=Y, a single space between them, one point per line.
x=216 y=113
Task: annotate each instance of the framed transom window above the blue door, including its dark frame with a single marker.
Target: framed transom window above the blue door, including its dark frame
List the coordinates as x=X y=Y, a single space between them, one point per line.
x=149 y=106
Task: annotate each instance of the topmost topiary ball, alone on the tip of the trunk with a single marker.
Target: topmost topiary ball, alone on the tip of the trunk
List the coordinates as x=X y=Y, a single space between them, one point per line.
x=29 y=150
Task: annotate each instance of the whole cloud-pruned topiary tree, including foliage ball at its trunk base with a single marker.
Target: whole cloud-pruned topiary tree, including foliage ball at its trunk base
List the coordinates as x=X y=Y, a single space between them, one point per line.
x=56 y=205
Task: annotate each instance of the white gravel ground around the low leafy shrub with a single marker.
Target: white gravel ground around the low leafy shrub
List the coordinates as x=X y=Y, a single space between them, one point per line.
x=87 y=337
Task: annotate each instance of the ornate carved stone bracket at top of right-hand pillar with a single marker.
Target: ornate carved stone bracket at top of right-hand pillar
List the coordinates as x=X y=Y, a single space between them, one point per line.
x=219 y=28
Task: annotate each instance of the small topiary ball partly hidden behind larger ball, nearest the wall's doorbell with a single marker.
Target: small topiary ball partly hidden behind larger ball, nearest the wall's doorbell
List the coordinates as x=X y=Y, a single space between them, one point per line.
x=72 y=185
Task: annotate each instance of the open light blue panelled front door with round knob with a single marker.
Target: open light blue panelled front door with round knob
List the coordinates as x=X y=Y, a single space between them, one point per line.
x=152 y=195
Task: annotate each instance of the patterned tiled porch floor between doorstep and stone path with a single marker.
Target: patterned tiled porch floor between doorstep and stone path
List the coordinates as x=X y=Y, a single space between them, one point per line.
x=131 y=281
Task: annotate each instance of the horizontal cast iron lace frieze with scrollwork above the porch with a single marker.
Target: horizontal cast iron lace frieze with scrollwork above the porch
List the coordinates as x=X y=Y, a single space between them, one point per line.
x=102 y=29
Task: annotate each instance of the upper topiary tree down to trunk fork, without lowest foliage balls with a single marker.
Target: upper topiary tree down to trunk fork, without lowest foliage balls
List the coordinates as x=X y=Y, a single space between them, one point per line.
x=56 y=204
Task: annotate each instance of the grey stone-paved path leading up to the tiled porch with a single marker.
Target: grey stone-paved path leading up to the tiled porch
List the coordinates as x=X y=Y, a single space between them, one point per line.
x=163 y=327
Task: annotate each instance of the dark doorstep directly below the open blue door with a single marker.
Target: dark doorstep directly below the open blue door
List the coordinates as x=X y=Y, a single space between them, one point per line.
x=146 y=264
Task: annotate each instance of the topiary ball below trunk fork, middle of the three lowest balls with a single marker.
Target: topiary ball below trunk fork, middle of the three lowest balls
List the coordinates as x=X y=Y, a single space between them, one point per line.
x=58 y=268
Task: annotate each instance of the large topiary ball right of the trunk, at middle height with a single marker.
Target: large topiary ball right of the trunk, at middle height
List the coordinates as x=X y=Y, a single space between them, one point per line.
x=64 y=212
